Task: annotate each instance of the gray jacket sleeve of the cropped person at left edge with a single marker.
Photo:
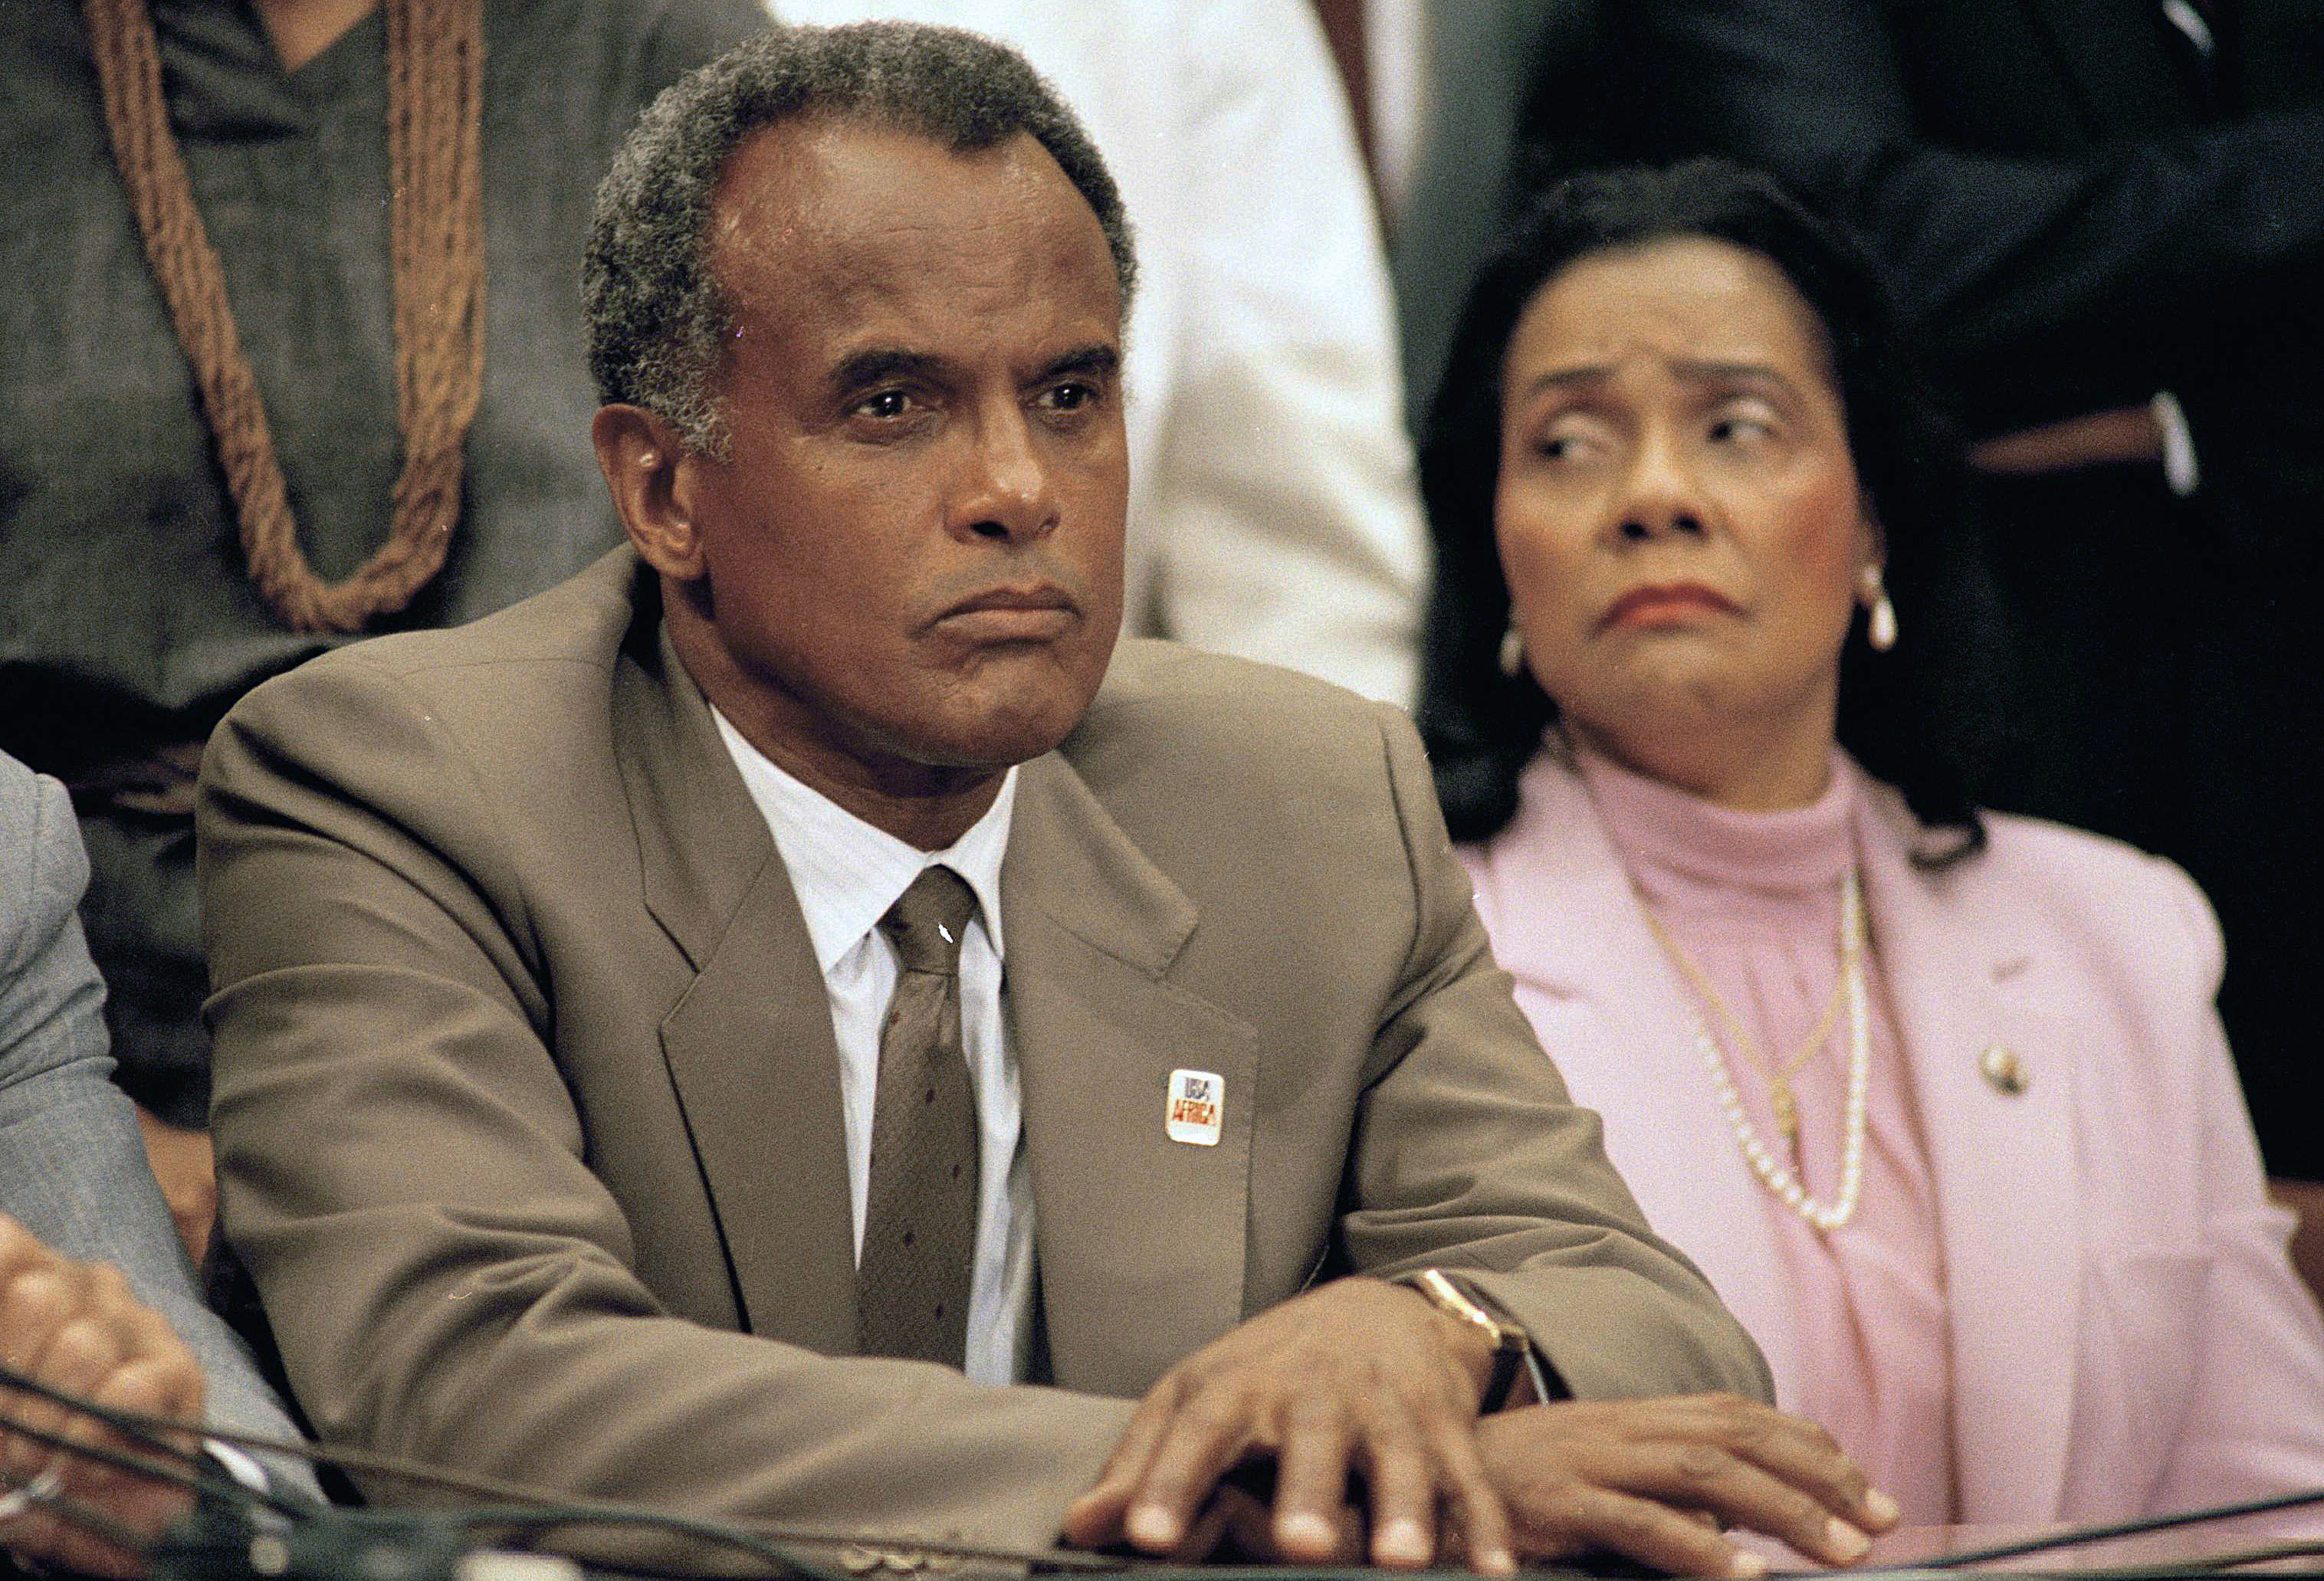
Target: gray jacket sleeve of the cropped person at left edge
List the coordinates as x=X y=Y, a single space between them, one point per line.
x=73 y=1168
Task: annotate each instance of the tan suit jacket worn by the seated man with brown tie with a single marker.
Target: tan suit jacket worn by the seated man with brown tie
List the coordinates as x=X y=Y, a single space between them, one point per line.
x=529 y=1099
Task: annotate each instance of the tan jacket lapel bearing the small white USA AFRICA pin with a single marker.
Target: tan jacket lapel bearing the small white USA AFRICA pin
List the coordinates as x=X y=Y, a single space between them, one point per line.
x=1140 y=1238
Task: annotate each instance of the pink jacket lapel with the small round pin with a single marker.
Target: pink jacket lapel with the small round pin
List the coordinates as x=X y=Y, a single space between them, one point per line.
x=1963 y=980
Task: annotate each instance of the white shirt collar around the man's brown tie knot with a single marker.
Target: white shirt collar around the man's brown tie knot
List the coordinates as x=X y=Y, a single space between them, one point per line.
x=845 y=871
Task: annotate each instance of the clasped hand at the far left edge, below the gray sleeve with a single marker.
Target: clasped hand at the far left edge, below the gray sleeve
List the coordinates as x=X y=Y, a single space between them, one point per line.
x=76 y=1326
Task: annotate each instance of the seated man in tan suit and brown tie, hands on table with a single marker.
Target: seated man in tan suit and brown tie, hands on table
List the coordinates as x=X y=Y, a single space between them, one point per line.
x=540 y=952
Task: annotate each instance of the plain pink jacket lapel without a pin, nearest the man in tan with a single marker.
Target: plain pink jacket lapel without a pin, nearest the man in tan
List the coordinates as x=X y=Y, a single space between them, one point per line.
x=1609 y=1003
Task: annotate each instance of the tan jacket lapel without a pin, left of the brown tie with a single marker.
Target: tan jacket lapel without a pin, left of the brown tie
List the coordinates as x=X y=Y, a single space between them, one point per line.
x=749 y=1045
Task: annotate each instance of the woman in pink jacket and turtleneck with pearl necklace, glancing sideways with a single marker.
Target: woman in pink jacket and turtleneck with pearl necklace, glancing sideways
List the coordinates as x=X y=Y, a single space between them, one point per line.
x=1937 y=1099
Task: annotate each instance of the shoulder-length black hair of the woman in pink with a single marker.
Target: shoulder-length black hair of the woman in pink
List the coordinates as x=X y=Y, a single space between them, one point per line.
x=1907 y=715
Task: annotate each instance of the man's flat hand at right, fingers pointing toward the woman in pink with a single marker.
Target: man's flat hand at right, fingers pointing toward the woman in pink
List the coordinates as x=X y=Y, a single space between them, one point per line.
x=1654 y=1480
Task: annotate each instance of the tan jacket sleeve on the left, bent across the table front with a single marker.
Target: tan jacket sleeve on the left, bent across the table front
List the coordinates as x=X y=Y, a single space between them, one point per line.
x=406 y=1175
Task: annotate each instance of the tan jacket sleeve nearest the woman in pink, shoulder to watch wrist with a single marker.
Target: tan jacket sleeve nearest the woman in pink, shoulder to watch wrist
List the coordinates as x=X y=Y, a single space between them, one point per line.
x=1470 y=1157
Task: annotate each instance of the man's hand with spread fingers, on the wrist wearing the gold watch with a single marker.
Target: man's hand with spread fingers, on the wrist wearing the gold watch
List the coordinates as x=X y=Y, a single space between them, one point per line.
x=1354 y=1378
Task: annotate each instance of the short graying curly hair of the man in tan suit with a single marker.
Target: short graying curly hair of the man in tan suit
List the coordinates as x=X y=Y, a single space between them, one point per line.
x=657 y=313
